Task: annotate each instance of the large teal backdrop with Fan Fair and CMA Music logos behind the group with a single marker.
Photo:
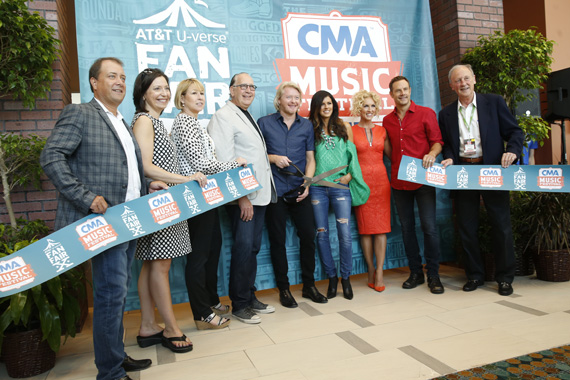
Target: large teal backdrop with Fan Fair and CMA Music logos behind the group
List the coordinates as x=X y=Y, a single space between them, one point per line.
x=341 y=47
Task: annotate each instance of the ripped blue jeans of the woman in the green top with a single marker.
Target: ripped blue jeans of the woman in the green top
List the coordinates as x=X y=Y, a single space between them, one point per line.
x=321 y=198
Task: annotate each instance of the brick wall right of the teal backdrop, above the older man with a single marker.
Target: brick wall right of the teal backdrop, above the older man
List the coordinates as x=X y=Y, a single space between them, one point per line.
x=457 y=24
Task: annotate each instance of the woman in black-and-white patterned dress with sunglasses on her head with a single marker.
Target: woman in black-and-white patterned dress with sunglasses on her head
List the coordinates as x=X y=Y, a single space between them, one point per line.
x=160 y=162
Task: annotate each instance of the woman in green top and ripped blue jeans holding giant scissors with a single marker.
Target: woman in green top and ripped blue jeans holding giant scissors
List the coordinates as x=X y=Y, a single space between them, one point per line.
x=333 y=148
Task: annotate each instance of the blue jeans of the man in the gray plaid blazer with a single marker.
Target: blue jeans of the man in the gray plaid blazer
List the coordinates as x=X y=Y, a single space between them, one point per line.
x=111 y=277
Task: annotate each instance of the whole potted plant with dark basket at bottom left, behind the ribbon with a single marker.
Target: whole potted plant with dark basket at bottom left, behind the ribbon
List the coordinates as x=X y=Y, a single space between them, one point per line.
x=32 y=321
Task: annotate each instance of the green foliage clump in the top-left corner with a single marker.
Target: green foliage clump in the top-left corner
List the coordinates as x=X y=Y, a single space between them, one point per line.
x=28 y=49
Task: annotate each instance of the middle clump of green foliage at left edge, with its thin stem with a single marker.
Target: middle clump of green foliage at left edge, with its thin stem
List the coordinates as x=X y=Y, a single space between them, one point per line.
x=19 y=165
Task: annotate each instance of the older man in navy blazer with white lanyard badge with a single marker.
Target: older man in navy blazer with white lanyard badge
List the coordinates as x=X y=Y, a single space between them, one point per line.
x=479 y=129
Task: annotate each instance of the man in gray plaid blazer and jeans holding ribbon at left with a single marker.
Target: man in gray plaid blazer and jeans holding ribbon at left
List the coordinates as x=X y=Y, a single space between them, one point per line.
x=94 y=162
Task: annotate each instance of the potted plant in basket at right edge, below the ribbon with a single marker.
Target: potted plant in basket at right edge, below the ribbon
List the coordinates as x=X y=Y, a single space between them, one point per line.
x=548 y=221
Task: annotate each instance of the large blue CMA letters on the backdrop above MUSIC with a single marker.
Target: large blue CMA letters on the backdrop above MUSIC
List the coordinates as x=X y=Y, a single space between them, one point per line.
x=319 y=39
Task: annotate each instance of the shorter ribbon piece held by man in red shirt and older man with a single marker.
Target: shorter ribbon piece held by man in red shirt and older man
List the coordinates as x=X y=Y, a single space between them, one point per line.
x=546 y=178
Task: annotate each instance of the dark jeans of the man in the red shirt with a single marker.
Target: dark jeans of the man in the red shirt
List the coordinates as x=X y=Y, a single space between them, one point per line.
x=425 y=198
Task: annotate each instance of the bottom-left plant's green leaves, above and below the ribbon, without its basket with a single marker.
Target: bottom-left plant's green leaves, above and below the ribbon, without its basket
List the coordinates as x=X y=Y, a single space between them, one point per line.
x=53 y=305
